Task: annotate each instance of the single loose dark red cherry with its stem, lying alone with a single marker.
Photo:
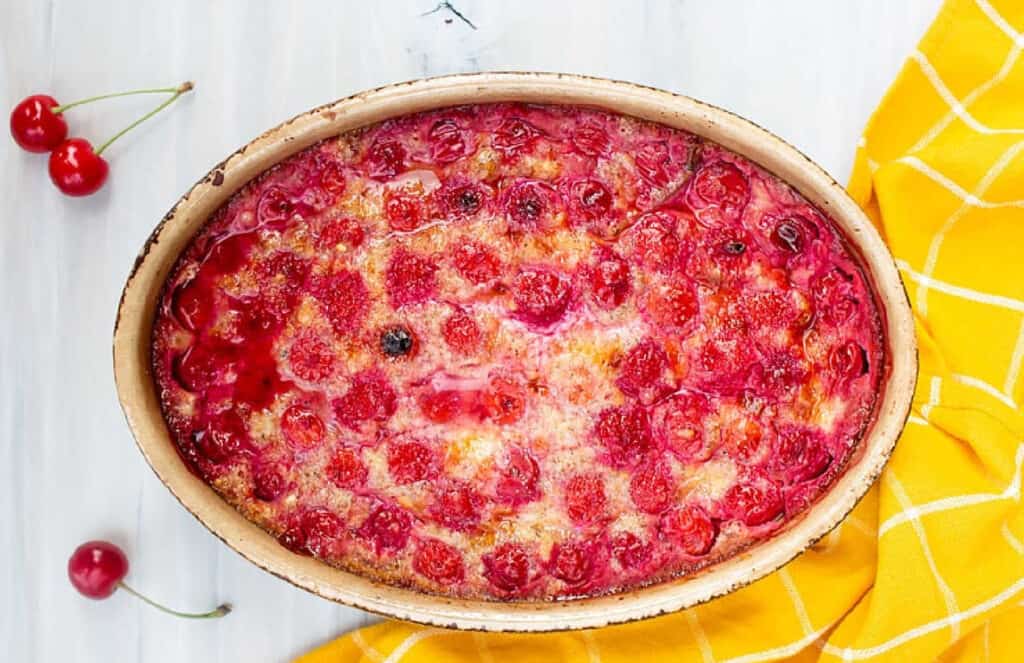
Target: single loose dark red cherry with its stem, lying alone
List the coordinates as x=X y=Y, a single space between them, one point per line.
x=98 y=569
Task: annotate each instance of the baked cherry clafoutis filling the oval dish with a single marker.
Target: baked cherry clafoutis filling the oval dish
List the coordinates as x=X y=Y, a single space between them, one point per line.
x=519 y=353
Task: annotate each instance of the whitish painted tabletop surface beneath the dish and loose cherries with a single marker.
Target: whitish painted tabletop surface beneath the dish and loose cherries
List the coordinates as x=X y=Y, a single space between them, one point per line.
x=809 y=70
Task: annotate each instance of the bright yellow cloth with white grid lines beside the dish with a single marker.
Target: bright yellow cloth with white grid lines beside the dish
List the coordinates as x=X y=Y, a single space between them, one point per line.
x=931 y=564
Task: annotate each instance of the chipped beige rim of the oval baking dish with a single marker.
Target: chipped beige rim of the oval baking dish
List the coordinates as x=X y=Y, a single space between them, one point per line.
x=141 y=404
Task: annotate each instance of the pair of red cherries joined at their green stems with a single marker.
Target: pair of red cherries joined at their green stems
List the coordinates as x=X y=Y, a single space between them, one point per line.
x=38 y=125
